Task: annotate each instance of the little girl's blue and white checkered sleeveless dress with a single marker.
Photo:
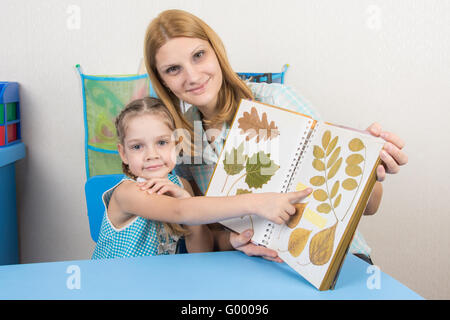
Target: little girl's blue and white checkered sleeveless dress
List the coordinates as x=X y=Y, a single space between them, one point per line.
x=141 y=237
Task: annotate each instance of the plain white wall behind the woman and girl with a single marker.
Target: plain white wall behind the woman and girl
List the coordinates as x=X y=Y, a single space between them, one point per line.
x=358 y=61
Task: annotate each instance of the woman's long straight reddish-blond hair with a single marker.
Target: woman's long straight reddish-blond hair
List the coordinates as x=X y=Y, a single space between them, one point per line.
x=177 y=23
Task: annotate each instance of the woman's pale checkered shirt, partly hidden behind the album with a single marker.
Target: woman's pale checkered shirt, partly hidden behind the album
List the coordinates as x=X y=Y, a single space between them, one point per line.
x=275 y=94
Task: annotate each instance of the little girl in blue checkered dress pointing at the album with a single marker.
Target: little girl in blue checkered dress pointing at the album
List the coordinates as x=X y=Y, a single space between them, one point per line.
x=150 y=222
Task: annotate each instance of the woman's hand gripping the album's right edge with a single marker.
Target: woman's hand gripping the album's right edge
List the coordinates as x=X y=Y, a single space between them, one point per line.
x=392 y=155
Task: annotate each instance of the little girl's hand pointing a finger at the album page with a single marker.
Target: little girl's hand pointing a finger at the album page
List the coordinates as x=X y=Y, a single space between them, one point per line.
x=278 y=207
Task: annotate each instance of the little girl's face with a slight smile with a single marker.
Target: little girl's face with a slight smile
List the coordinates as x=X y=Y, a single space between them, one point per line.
x=148 y=147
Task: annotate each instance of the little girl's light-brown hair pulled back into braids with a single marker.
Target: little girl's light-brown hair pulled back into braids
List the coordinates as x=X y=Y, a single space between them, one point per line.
x=147 y=105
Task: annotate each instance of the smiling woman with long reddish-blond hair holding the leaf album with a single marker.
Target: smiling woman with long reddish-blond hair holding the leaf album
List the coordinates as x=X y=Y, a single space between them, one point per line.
x=187 y=63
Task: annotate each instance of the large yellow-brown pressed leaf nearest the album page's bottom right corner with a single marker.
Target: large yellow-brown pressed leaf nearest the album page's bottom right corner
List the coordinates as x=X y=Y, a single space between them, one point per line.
x=321 y=246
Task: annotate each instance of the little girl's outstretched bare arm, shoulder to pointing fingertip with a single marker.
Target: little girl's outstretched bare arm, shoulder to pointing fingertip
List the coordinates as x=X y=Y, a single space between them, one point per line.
x=276 y=207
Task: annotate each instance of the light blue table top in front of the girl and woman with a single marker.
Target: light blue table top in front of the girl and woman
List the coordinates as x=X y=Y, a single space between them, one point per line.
x=205 y=276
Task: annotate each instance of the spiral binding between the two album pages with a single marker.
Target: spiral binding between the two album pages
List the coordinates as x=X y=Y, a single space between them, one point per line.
x=298 y=157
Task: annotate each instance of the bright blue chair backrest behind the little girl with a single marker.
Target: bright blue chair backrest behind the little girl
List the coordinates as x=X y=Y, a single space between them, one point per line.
x=94 y=188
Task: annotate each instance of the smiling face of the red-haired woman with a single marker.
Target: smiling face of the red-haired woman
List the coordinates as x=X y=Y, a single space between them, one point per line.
x=190 y=69
